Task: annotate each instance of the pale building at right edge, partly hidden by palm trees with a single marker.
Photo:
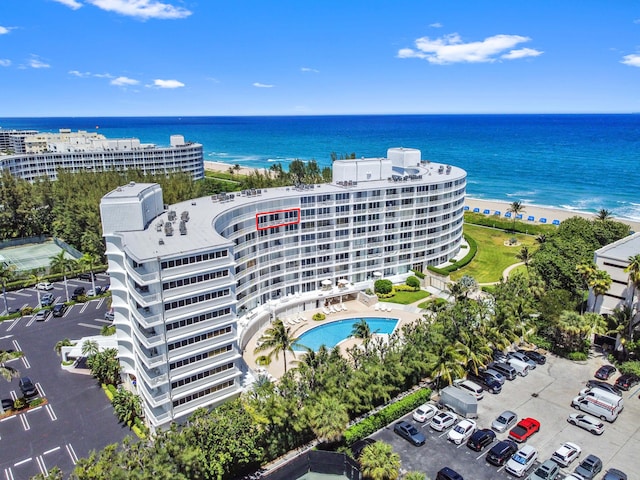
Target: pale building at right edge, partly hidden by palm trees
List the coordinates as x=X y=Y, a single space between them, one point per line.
x=613 y=259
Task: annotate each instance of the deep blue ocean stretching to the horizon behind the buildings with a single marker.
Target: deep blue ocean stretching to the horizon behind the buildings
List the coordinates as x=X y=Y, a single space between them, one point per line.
x=578 y=162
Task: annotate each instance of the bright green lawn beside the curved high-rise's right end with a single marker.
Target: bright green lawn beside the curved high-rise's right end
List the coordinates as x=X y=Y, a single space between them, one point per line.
x=493 y=256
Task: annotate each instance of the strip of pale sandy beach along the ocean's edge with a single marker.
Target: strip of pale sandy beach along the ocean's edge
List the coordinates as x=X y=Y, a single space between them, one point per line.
x=537 y=211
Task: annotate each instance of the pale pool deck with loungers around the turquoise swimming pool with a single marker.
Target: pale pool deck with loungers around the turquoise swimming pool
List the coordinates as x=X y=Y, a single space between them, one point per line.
x=355 y=309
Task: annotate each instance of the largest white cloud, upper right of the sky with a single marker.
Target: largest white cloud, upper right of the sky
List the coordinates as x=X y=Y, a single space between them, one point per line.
x=451 y=49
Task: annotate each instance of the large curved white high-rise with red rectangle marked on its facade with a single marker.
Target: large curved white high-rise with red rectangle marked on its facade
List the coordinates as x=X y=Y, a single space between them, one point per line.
x=192 y=282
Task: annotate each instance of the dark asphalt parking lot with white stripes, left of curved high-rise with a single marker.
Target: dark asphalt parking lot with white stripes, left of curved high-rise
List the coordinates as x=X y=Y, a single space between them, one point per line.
x=77 y=417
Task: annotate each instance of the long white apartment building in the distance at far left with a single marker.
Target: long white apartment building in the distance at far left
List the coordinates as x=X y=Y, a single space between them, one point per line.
x=29 y=155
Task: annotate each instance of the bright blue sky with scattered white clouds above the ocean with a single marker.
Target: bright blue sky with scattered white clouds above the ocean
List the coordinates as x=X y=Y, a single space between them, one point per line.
x=317 y=57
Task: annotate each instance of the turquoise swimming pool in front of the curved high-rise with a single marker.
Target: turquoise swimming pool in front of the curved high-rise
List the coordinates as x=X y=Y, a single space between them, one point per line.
x=331 y=334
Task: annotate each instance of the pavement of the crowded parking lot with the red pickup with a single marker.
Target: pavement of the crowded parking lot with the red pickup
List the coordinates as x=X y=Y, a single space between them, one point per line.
x=545 y=394
